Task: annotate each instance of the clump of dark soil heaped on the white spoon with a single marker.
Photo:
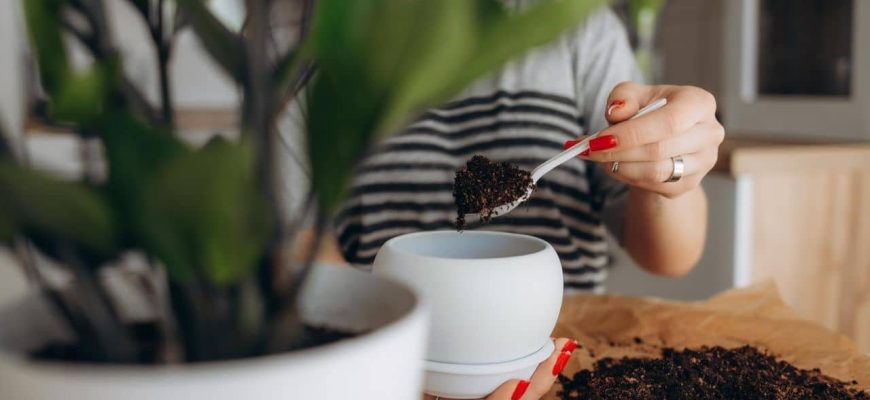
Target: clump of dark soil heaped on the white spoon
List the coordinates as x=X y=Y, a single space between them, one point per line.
x=482 y=185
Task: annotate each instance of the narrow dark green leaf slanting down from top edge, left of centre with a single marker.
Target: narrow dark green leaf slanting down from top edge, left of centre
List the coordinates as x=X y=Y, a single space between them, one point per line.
x=225 y=47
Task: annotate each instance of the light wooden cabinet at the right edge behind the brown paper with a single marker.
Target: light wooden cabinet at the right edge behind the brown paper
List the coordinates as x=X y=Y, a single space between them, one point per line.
x=804 y=221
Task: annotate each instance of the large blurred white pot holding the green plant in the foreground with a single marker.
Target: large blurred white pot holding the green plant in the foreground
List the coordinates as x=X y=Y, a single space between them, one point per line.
x=385 y=363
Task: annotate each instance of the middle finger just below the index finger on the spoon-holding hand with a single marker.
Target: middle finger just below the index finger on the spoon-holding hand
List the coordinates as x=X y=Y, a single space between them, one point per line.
x=702 y=136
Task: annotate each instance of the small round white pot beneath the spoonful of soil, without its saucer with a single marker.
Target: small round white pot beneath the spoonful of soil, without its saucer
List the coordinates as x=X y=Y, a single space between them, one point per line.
x=494 y=296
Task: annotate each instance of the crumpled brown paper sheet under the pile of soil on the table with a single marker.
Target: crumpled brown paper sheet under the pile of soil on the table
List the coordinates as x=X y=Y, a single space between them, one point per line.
x=606 y=326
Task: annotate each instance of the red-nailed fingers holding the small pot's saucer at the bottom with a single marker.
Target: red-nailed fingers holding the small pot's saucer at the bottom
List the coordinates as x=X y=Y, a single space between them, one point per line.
x=542 y=379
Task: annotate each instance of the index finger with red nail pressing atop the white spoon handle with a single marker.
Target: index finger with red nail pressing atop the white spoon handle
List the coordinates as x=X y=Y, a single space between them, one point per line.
x=686 y=107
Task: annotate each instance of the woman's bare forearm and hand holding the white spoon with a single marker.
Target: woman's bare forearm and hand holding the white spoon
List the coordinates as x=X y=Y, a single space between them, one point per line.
x=665 y=222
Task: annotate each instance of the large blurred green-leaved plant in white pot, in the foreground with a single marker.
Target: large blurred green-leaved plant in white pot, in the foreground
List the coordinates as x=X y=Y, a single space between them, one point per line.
x=222 y=309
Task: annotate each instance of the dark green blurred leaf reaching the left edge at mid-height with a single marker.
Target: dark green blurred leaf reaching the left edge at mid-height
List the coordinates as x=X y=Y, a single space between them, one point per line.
x=40 y=206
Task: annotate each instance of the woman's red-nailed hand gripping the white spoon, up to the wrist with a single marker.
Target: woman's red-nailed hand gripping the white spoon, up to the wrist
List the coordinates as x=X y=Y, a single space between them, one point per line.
x=640 y=152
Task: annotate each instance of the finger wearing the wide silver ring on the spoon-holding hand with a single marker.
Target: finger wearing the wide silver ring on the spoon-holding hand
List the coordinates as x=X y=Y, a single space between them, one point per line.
x=656 y=172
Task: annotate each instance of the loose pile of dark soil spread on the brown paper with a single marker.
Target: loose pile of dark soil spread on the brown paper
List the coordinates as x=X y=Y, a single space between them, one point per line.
x=707 y=373
